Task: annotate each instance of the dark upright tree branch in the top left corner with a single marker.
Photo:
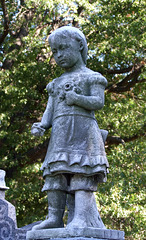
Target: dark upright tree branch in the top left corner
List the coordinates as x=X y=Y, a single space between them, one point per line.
x=6 y=22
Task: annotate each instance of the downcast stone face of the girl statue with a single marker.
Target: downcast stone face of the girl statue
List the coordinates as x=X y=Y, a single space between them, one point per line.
x=67 y=52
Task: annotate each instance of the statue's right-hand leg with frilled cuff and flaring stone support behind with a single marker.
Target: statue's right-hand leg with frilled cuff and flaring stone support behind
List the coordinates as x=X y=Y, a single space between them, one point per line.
x=85 y=213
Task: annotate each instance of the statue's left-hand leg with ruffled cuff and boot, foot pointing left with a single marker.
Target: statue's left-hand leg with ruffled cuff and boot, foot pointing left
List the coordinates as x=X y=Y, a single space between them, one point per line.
x=56 y=203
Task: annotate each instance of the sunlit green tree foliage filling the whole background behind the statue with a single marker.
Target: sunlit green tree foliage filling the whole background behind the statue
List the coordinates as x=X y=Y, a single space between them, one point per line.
x=115 y=32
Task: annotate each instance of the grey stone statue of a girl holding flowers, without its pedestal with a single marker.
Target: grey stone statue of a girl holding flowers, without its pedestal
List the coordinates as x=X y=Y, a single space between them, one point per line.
x=75 y=160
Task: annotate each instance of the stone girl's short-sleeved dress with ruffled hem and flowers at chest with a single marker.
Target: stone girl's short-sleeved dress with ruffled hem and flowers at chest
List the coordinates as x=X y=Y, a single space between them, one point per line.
x=76 y=144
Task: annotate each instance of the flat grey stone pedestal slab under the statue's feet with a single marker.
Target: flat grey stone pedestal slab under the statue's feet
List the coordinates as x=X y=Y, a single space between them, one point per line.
x=75 y=234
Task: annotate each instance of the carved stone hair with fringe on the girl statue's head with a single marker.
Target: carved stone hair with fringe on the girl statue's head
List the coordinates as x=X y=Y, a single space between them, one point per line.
x=74 y=33
